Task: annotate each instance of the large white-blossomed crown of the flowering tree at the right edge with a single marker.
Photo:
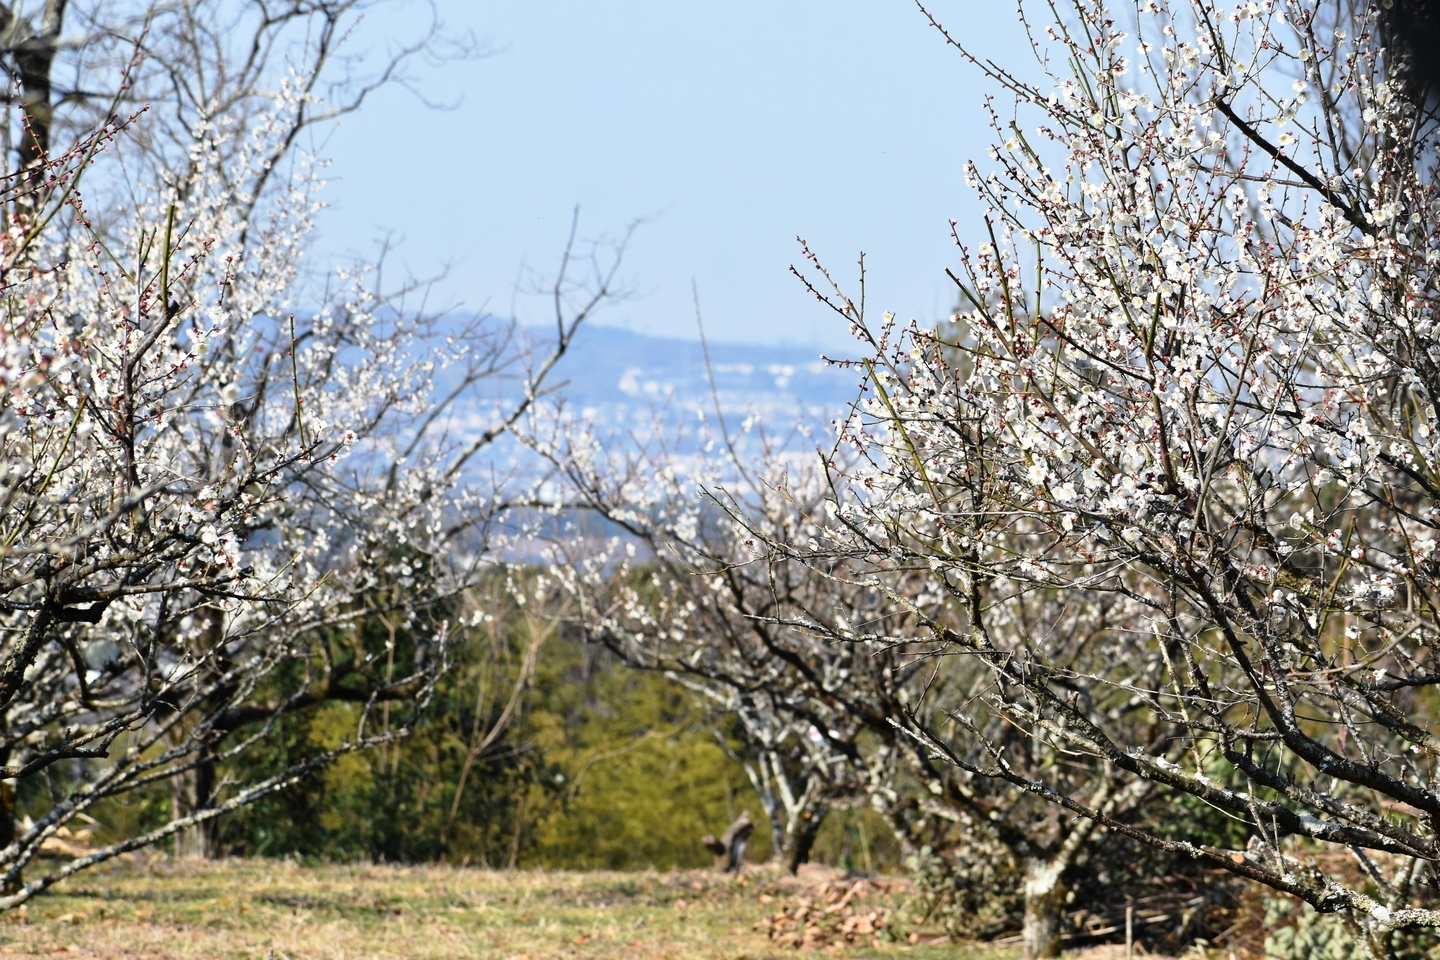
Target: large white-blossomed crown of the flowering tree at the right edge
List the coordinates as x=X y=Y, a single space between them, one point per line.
x=1192 y=388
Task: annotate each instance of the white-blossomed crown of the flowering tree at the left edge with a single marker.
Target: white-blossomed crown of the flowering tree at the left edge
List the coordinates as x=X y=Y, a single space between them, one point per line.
x=207 y=490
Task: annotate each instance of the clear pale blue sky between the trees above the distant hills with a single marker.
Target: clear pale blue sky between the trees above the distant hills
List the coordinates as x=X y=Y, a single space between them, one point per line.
x=731 y=127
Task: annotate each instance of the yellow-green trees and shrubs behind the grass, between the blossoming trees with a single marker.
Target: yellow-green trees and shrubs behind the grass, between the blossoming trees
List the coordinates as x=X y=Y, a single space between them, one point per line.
x=539 y=751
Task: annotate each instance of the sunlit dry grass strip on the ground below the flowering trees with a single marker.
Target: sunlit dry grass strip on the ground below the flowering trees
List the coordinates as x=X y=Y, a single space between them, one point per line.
x=287 y=912
